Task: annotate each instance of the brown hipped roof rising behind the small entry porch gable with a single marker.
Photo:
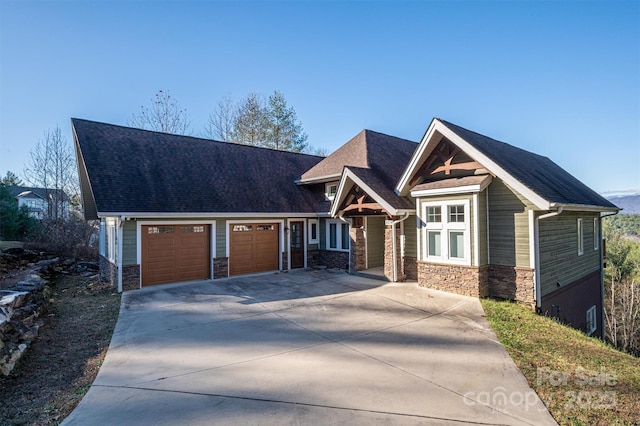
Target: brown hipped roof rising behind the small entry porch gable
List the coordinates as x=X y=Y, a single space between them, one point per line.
x=387 y=155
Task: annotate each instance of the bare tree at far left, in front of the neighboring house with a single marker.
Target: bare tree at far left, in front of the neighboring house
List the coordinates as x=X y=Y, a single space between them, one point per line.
x=52 y=166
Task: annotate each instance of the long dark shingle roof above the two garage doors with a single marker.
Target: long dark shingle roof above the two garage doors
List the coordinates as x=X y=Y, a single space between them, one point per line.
x=126 y=171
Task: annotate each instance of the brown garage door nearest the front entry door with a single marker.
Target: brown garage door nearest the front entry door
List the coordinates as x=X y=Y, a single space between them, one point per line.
x=253 y=247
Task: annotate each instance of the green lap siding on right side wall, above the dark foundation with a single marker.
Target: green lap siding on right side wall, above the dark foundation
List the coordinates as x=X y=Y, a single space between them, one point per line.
x=559 y=259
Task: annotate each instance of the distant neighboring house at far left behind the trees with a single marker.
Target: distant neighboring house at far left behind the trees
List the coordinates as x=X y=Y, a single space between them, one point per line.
x=42 y=202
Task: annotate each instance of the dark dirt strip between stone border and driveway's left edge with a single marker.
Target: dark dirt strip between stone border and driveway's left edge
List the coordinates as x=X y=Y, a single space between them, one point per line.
x=59 y=367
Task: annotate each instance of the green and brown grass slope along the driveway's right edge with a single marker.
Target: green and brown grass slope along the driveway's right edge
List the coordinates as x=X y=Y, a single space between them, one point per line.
x=582 y=380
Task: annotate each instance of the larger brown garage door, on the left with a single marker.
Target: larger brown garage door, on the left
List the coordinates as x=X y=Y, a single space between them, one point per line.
x=174 y=253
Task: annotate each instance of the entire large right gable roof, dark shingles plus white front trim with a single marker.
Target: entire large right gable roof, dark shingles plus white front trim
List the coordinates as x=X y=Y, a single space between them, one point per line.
x=538 y=178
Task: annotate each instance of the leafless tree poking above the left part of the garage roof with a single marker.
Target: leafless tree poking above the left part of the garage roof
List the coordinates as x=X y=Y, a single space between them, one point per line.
x=164 y=116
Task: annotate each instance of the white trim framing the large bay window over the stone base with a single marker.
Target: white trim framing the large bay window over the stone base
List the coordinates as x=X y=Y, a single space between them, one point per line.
x=445 y=227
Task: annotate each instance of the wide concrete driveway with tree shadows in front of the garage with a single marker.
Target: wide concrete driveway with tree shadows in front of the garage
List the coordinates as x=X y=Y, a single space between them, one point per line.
x=310 y=347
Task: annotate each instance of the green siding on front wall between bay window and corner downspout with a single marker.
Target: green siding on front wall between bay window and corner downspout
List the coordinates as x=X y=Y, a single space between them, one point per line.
x=508 y=226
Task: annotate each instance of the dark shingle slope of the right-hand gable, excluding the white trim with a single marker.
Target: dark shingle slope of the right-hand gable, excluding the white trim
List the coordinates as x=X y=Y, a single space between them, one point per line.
x=538 y=173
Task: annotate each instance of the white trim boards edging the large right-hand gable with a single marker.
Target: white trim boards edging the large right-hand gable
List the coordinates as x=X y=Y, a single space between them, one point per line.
x=429 y=142
